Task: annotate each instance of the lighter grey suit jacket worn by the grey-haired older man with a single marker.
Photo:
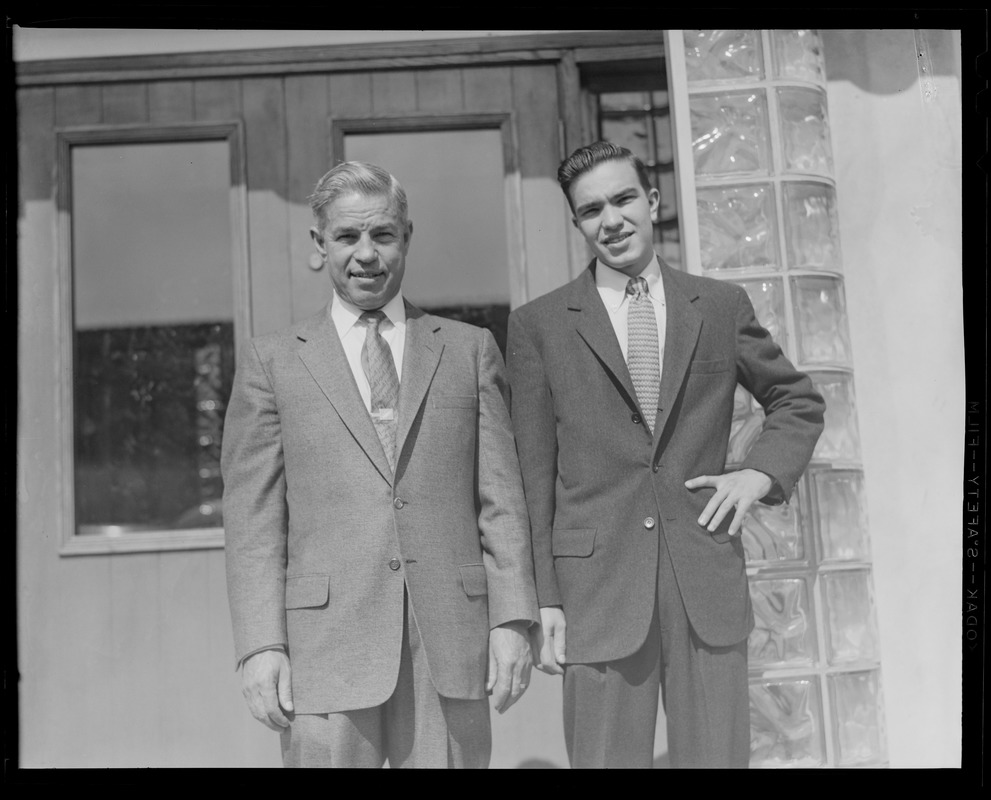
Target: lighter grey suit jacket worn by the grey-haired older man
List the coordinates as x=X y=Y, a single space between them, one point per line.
x=321 y=535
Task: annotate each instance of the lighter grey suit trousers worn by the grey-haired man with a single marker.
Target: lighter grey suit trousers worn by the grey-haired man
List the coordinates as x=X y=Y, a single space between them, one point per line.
x=416 y=727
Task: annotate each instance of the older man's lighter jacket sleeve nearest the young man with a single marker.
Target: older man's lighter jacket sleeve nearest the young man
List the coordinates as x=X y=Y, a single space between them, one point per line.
x=502 y=520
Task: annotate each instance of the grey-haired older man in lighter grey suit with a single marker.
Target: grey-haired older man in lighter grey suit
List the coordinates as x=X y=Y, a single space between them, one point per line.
x=378 y=557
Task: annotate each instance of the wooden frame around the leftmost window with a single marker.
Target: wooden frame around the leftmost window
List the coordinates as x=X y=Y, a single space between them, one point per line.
x=72 y=543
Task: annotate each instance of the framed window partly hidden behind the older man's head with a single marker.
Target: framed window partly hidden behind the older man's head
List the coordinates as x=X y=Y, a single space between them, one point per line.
x=465 y=255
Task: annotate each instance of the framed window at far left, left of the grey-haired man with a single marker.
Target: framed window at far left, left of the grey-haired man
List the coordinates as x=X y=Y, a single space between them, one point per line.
x=152 y=302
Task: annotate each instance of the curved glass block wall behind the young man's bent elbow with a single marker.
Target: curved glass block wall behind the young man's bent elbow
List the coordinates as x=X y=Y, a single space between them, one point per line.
x=766 y=206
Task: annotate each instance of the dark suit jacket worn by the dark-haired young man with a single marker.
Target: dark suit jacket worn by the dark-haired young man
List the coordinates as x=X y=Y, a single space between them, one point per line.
x=598 y=483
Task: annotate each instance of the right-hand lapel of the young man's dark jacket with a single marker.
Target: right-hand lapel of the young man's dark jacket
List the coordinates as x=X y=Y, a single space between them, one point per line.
x=684 y=322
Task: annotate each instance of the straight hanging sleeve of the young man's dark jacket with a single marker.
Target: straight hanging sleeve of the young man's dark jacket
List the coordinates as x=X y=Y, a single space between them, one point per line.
x=536 y=443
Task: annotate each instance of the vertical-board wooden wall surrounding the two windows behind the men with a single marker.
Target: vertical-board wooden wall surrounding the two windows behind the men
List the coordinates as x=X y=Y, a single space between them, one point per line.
x=127 y=659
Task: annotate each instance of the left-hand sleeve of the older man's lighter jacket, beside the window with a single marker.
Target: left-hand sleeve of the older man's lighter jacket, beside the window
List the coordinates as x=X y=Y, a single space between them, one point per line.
x=255 y=510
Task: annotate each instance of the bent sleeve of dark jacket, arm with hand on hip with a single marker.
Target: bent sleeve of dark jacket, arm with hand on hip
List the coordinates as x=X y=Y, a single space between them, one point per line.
x=793 y=409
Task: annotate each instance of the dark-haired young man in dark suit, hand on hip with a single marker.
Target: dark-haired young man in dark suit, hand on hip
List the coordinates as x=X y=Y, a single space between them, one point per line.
x=622 y=396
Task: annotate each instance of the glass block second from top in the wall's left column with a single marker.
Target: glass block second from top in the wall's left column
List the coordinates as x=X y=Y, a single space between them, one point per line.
x=730 y=133
